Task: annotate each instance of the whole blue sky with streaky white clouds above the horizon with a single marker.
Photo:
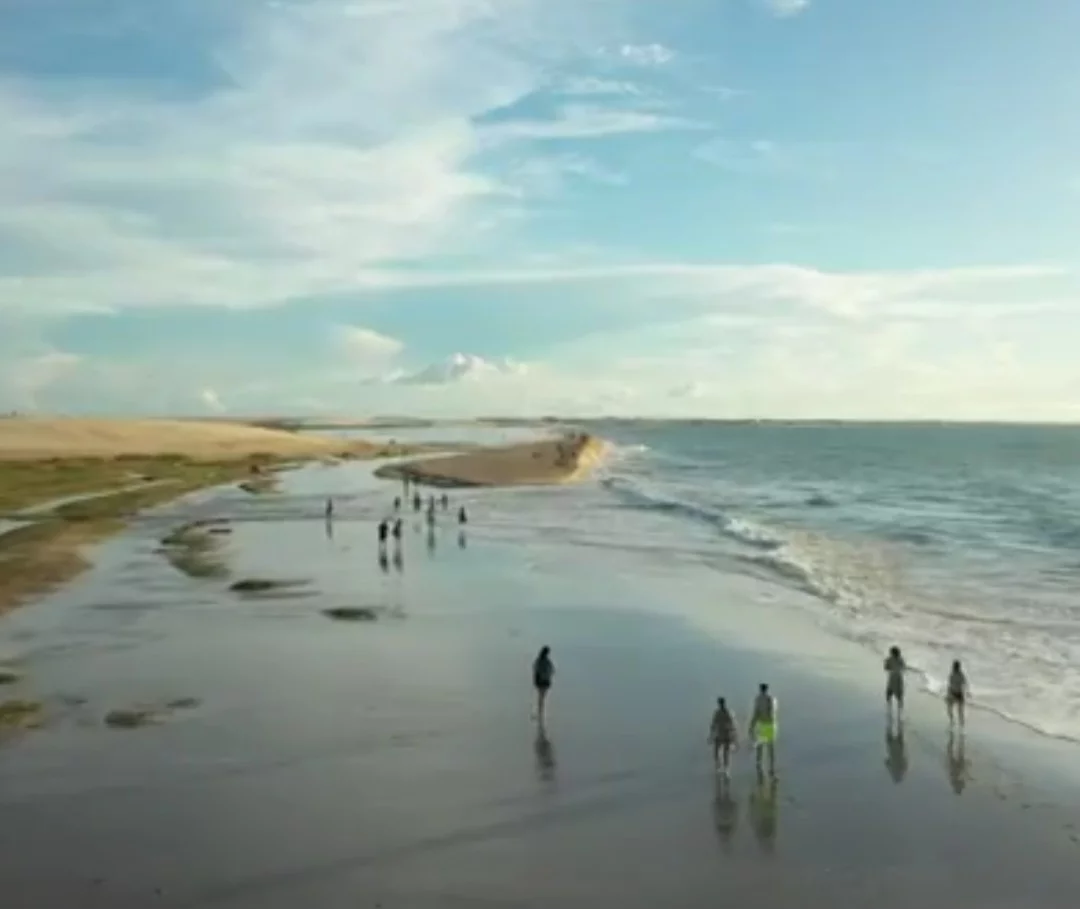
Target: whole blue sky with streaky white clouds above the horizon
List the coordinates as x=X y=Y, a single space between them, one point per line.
x=786 y=209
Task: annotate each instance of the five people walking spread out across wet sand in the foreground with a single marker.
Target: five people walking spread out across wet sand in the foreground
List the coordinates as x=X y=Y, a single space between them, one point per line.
x=762 y=729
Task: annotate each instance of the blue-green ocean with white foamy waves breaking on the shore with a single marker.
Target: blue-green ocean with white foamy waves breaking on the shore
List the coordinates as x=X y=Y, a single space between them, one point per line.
x=951 y=541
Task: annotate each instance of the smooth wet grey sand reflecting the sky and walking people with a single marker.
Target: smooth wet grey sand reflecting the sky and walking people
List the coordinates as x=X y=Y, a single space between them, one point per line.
x=395 y=764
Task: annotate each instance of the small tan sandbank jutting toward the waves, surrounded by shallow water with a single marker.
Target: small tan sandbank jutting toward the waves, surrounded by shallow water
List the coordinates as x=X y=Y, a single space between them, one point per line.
x=548 y=462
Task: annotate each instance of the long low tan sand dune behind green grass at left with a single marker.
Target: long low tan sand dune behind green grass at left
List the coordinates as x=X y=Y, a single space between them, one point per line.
x=35 y=439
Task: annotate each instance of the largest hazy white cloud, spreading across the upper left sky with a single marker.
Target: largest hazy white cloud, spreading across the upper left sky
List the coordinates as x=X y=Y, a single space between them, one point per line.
x=329 y=154
